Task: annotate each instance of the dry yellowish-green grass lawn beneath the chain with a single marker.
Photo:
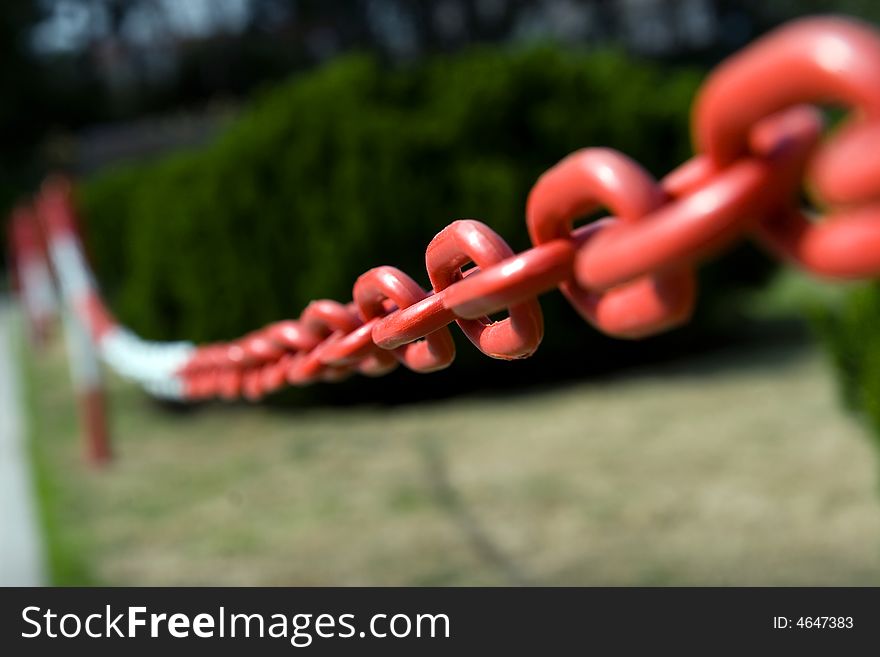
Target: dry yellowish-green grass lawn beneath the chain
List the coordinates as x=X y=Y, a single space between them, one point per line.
x=737 y=468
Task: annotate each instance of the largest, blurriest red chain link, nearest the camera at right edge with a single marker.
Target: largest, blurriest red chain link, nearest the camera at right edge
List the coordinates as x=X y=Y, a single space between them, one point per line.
x=818 y=60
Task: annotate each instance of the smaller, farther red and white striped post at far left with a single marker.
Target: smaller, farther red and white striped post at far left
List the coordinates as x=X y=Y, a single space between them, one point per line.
x=31 y=277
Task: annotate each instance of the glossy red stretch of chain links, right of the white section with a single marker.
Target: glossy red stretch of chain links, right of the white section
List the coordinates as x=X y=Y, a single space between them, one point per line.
x=629 y=275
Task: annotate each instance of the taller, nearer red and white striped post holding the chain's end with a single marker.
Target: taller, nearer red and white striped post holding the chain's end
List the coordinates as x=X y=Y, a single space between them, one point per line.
x=84 y=319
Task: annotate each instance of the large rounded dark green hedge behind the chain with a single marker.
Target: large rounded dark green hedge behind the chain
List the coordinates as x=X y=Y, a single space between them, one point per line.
x=355 y=165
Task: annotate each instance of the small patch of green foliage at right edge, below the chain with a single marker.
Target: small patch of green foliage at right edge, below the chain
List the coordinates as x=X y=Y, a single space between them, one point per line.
x=848 y=330
